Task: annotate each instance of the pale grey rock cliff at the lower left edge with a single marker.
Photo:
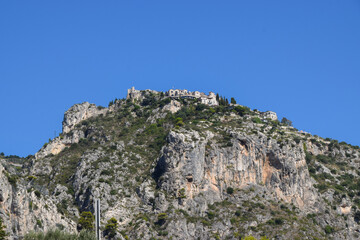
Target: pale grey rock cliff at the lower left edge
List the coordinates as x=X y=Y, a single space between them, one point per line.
x=23 y=209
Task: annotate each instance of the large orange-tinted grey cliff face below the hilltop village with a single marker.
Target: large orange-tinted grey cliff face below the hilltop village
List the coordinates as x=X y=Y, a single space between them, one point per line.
x=249 y=161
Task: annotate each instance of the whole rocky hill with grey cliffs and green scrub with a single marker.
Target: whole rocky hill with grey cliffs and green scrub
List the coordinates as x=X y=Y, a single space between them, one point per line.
x=173 y=168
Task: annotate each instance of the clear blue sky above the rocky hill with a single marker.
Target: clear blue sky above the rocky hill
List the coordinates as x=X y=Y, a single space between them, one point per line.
x=300 y=59
